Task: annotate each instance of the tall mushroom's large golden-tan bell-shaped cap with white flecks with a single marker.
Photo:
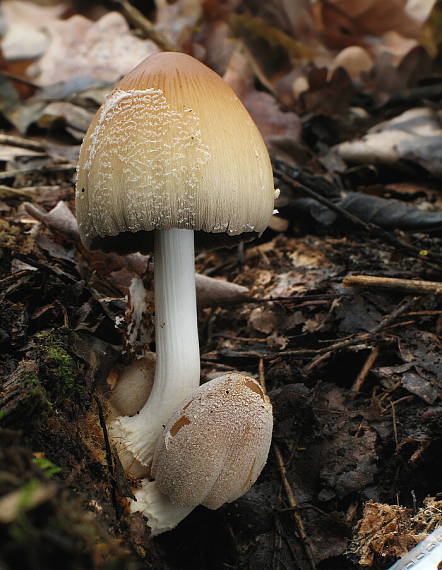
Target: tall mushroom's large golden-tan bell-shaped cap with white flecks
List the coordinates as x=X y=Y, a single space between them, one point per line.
x=172 y=147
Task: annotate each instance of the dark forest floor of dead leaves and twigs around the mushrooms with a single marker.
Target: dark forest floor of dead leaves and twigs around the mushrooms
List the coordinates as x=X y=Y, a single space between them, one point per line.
x=352 y=365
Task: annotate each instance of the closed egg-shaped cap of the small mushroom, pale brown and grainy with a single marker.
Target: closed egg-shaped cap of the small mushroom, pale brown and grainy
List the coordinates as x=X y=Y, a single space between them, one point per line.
x=214 y=447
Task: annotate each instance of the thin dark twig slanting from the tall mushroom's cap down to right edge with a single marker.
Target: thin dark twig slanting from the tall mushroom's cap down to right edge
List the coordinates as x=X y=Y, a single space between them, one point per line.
x=296 y=180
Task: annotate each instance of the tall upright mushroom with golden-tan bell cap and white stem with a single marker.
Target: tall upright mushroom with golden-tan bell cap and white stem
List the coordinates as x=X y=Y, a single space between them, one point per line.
x=172 y=152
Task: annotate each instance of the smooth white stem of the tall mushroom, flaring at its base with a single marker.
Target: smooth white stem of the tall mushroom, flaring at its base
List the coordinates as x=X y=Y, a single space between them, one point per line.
x=177 y=371
